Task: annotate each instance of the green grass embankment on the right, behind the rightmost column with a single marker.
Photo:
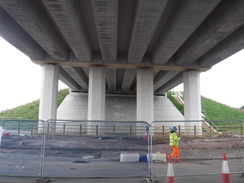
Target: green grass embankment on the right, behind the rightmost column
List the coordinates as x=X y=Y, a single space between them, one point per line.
x=213 y=110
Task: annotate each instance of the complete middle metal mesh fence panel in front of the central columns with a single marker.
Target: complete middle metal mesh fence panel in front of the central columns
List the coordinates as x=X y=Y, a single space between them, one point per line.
x=93 y=149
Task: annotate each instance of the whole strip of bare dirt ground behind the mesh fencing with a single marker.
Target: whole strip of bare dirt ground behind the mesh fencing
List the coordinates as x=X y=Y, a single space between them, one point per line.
x=108 y=146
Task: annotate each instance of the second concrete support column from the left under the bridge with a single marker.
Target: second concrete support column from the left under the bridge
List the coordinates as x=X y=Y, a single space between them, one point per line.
x=96 y=93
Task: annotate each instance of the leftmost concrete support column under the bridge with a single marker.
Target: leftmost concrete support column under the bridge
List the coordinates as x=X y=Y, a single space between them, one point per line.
x=49 y=92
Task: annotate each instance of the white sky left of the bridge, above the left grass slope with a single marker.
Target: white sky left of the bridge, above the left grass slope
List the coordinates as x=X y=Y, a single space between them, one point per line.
x=20 y=78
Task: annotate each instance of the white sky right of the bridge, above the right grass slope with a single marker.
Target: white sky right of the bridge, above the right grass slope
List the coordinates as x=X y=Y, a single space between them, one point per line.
x=224 y=81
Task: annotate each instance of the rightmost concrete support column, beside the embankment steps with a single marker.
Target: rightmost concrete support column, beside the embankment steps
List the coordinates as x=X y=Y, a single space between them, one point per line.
x=192 y=98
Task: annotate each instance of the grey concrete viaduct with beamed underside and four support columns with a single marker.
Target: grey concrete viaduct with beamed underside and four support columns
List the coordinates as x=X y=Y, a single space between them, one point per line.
x=140 y=48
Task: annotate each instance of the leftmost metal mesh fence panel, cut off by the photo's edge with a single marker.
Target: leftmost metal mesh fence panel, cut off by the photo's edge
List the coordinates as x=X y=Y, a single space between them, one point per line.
x=20 y=148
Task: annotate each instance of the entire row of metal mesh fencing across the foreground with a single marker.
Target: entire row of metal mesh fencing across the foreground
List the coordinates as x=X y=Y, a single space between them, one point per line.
x=74 y=150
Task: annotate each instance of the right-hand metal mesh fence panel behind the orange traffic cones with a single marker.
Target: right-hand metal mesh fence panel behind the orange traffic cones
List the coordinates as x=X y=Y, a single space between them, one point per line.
x=200 y=149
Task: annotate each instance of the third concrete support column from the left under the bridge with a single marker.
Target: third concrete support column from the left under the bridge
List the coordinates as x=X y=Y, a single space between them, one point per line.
x=145 y=96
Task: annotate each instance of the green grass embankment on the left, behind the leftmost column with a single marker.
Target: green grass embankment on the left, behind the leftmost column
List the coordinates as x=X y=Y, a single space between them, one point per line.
x=30 y=110
